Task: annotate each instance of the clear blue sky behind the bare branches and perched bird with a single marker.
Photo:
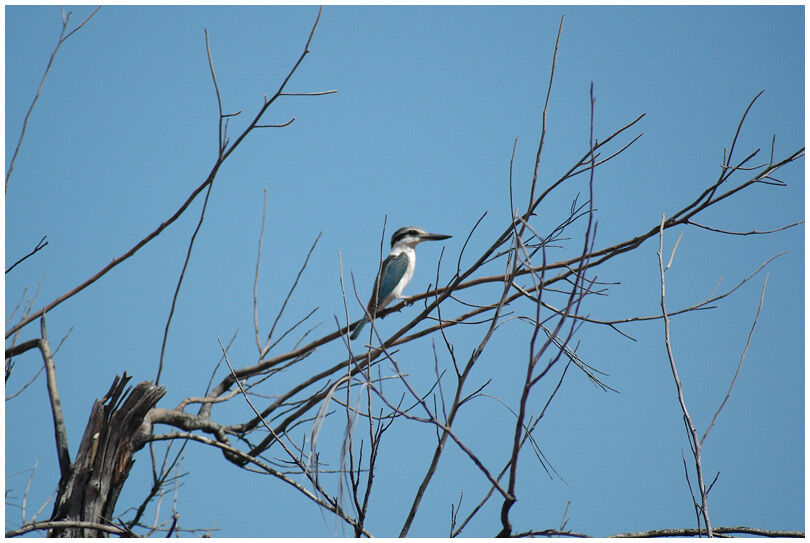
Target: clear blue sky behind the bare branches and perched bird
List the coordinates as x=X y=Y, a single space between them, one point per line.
x=430 y=101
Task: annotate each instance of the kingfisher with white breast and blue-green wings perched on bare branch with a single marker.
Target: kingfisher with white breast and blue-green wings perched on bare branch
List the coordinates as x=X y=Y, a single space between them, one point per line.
x=396 y=270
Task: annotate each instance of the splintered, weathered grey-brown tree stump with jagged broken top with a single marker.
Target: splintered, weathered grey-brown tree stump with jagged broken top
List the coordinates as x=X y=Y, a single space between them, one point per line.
x=89 y=490
